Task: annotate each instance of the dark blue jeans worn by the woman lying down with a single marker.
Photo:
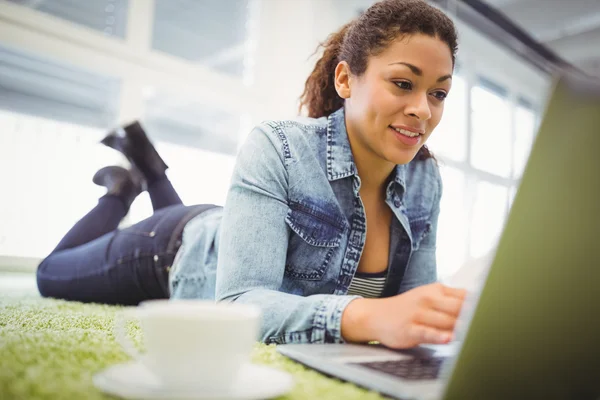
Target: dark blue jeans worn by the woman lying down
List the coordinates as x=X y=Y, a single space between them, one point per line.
x=97 y=262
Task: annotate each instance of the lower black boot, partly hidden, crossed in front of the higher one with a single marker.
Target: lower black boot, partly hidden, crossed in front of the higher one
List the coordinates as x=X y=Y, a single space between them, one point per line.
x=119 y=182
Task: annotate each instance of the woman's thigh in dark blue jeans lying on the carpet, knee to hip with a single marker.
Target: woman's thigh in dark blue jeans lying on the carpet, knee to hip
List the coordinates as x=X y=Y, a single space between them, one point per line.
x=121 y=267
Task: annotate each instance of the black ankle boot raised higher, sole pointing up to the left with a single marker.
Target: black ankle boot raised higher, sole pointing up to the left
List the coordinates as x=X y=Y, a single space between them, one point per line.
x=132 y=141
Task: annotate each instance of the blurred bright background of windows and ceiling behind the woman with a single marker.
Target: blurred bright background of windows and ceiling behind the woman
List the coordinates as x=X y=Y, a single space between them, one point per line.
x=200 y=73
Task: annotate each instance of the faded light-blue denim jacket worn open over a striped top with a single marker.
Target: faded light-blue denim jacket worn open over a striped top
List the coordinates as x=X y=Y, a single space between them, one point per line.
x=291 y=234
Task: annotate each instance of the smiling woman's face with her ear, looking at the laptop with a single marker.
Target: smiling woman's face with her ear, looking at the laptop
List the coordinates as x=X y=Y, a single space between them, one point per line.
x=394 y=106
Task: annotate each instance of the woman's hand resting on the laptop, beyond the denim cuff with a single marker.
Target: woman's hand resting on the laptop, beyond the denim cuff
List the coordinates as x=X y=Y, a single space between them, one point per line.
x=426 y=314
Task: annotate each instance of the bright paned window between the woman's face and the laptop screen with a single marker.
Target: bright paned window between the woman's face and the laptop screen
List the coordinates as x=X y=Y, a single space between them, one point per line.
x=481 y=164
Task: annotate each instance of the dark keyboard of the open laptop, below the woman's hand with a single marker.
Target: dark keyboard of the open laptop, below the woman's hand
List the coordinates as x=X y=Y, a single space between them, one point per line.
x=413 y=369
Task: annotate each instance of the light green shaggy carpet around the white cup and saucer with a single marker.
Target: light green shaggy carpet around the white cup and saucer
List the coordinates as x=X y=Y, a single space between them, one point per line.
x=50 y=349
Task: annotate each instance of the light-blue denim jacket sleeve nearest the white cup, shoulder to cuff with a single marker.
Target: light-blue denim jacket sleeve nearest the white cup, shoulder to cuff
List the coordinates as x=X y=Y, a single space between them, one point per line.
x=253 y=246
